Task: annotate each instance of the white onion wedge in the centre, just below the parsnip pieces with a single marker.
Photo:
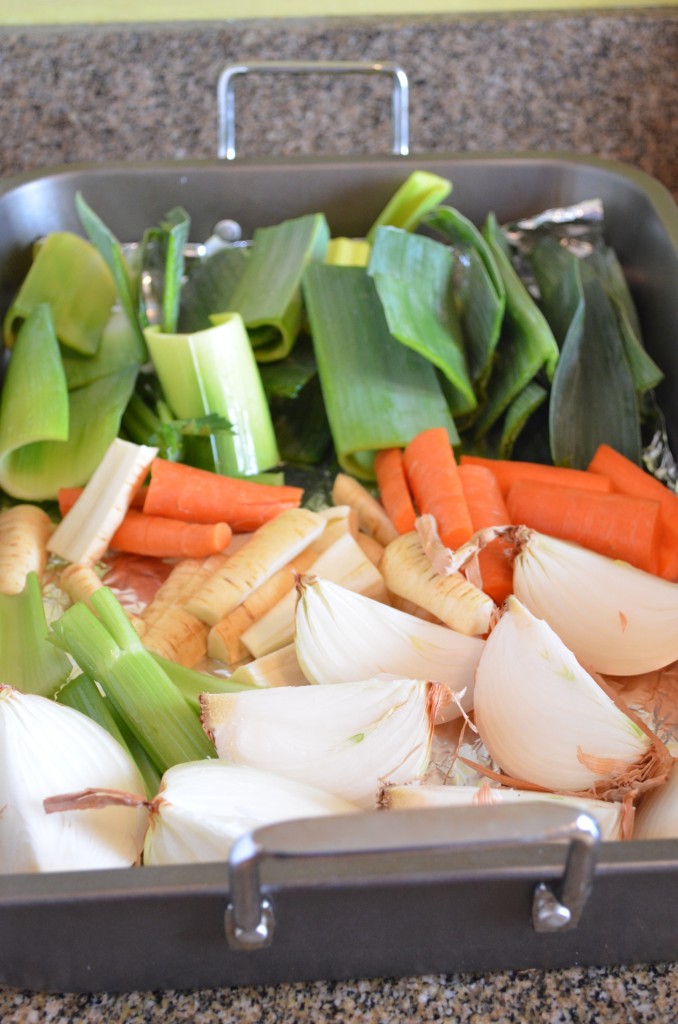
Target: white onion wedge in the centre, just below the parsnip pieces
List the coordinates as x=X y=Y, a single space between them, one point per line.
x=343 y=636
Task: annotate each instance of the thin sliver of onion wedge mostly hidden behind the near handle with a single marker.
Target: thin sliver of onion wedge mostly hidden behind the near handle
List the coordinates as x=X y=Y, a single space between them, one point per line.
x=610 y=816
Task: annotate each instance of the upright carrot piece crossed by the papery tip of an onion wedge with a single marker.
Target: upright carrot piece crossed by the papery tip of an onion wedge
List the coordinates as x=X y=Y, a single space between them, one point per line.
x=488 y=508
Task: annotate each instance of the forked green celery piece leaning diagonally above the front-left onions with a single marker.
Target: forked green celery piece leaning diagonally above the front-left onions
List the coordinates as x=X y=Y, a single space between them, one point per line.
x=155 y=711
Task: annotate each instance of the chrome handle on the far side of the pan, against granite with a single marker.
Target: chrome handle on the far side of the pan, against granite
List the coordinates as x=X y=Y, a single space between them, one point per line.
x=227 y=103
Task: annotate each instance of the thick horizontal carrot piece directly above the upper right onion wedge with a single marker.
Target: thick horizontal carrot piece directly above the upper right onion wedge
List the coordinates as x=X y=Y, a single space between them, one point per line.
x=613 y=525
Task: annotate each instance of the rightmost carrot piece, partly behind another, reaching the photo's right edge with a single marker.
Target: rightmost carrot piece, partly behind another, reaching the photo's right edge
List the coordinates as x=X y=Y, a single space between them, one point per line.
x=628 y=479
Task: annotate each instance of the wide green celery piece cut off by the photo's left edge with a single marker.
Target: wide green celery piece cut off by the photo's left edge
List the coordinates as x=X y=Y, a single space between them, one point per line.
x=28 y=661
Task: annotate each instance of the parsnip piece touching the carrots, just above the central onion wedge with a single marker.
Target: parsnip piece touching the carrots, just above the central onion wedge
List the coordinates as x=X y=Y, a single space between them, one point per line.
x=408 y=573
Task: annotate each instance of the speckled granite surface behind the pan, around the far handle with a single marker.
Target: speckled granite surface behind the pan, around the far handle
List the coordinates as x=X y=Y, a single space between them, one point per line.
x=604 y=83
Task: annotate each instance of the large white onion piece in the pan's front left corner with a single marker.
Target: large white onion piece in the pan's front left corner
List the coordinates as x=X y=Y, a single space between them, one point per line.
x=49 y=749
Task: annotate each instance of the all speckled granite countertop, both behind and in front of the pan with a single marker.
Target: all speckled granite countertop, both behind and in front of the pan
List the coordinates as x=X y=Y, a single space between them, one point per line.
x=599 y=83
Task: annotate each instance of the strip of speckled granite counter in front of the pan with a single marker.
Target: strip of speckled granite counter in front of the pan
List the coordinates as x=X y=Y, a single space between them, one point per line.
x=647 y=996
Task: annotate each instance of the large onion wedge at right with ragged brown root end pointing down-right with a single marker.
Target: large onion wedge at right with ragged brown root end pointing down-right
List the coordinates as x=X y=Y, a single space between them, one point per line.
x=545 y=720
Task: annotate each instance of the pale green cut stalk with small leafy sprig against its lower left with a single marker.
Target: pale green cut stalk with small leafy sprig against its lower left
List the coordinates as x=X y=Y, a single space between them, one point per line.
x=215 y=372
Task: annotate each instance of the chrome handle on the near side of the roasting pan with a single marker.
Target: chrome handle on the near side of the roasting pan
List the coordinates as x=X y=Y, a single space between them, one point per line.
x=249 y=918
